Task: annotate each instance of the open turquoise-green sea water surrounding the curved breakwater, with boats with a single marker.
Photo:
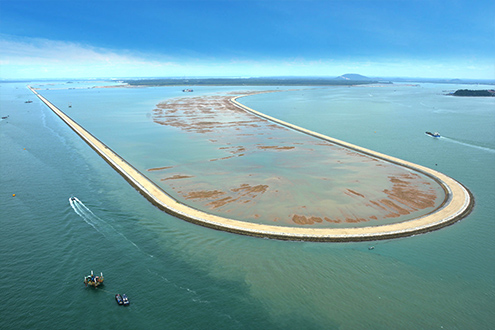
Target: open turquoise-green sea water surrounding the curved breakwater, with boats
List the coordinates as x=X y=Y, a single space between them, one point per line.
x=182 y=276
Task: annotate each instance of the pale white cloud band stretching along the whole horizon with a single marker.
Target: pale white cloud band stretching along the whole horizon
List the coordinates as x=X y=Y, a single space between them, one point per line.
x=31 y=58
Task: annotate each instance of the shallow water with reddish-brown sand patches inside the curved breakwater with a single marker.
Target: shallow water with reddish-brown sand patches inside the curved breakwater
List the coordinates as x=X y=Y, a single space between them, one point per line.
x=395 y=194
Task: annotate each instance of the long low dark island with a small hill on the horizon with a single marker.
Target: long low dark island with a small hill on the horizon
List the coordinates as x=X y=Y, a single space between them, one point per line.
x=347 y=79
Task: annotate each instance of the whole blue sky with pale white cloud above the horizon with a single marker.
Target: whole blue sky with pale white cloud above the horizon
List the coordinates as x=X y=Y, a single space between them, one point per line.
x=247 y=38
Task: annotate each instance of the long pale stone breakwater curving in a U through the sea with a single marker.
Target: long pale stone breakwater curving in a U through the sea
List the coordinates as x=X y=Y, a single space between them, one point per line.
x=457 y=204
